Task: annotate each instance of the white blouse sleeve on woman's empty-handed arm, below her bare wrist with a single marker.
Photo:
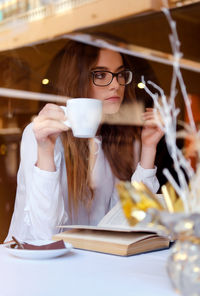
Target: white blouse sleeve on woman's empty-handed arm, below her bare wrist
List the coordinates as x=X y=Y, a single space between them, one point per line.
x=147 y=176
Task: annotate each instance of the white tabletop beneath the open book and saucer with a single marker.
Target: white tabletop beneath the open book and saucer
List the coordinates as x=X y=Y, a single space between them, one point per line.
x=83 y=273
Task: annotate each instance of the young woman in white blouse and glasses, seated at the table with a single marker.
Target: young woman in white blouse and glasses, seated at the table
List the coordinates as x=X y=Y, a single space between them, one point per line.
x=67 y=180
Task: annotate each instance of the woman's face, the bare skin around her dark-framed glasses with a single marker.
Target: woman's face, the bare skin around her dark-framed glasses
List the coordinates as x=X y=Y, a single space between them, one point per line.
x=111 y=95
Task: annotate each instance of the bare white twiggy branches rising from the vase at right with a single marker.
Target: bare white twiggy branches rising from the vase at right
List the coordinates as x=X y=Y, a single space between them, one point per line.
x=169 y=113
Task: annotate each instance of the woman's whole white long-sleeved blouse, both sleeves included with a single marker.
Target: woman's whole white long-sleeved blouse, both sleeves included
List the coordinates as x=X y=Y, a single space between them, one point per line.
x=41 y=198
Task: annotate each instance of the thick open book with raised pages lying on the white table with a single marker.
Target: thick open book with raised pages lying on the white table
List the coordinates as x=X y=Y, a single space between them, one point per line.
x=113 y=235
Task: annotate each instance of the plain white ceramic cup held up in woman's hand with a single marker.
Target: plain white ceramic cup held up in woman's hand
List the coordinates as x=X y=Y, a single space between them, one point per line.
x=83 y=116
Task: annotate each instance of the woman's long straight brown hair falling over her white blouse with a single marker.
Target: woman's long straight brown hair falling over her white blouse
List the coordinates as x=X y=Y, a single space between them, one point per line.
x=117 y=141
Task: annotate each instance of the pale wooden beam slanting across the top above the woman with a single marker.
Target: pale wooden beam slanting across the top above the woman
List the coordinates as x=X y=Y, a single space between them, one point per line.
x=22 y=33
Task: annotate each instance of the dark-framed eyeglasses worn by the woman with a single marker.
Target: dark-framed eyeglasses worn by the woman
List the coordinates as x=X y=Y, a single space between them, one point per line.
x=104 y=78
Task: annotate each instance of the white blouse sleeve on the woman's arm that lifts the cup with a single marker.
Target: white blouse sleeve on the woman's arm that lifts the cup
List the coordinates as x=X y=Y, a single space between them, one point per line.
x=39 y=203
